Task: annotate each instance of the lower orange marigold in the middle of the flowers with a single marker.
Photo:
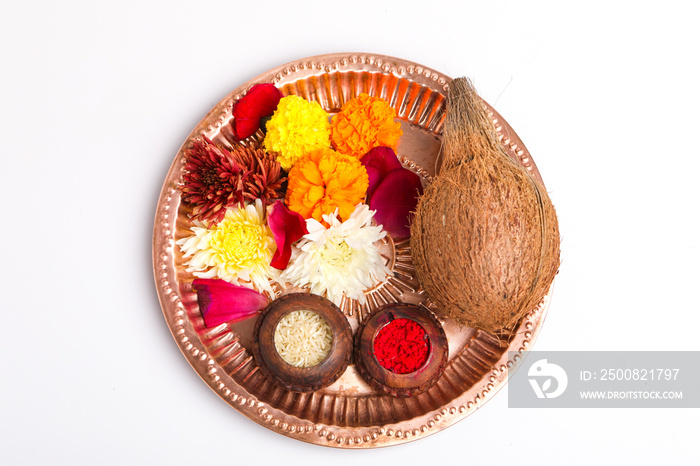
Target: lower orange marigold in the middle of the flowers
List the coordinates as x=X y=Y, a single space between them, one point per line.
x=325 y=180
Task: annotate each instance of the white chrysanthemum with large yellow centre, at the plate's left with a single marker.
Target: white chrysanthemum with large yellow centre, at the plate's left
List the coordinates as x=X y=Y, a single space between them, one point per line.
x=238 y=249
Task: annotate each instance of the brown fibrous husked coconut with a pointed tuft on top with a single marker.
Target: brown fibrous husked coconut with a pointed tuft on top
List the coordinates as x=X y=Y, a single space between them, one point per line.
x=485 y=237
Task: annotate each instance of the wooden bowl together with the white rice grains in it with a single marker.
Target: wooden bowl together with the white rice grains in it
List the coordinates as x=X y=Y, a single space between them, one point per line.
x=303 y=342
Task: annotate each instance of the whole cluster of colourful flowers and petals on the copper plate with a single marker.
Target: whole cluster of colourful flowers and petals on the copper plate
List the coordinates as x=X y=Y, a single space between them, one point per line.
x=309 y=207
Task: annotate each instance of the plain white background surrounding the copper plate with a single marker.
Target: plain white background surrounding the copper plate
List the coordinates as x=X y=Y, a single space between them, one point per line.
x=96 y=98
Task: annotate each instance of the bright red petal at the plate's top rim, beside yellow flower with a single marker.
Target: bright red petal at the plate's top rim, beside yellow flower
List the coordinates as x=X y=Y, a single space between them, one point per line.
x=260 y=101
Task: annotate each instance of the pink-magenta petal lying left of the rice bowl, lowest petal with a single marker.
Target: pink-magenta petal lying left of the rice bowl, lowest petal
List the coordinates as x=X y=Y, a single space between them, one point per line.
x=221 y=301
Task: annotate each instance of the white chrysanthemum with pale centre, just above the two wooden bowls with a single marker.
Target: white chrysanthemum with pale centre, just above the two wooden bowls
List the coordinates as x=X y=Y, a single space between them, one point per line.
x=342 y=258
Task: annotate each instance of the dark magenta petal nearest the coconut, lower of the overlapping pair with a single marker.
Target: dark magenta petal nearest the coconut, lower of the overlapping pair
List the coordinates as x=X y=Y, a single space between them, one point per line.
x=395 y=200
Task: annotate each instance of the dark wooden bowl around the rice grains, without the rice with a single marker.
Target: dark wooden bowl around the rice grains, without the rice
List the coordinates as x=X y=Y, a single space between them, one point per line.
x=302 y=379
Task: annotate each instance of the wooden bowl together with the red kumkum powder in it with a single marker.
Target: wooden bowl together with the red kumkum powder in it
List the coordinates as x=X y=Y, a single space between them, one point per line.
x=401 y=350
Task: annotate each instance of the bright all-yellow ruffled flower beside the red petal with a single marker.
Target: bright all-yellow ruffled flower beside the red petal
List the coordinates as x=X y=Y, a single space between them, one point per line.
x=296 y=128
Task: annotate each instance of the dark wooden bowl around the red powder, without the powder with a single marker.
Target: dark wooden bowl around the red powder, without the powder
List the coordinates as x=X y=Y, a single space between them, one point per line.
x=390 y=383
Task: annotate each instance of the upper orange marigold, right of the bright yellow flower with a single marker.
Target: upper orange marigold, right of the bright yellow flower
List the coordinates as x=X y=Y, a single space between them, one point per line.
x=363 y=123
